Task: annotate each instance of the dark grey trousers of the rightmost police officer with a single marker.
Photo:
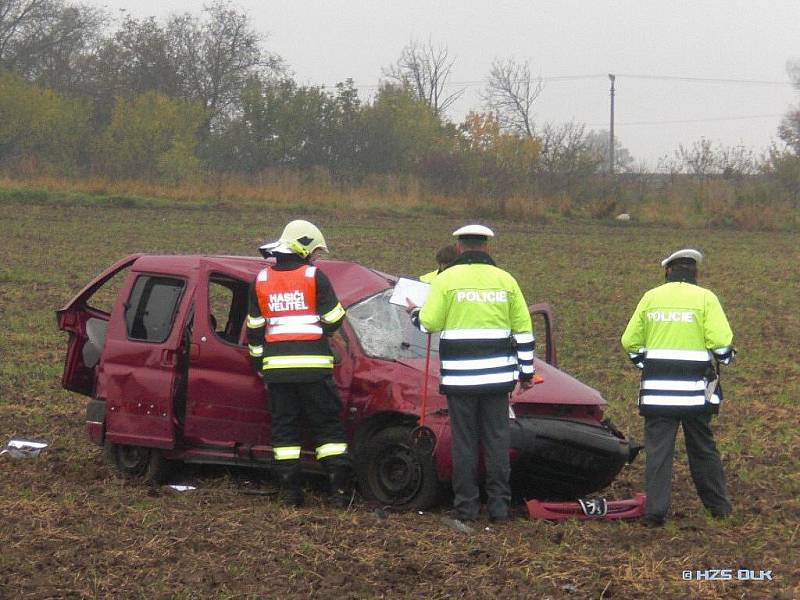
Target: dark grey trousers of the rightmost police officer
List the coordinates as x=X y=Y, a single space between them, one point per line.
x=704 y=463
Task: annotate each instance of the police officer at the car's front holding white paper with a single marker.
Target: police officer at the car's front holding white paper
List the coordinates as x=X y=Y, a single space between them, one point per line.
x=486 y=346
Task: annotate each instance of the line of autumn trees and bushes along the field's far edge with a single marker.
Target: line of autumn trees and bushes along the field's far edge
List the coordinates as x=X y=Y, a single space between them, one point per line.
x=202 y=94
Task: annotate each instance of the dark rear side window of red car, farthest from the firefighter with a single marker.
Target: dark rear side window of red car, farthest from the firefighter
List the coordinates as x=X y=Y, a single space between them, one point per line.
x=151 y=307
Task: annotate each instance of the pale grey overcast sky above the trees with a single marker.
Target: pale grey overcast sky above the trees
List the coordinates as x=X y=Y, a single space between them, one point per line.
x=684 y=69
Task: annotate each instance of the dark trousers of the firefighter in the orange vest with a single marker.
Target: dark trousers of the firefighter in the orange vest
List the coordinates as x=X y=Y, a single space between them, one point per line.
x=315 y=402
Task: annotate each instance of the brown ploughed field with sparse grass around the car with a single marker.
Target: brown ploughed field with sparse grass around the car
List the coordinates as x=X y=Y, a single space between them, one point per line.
x=72 y=528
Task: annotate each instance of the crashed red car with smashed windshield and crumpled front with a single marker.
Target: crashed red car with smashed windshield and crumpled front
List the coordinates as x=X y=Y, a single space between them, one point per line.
x=169 y=381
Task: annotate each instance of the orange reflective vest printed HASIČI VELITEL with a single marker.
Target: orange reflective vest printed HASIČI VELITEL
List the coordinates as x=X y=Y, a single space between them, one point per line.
x=287 y=300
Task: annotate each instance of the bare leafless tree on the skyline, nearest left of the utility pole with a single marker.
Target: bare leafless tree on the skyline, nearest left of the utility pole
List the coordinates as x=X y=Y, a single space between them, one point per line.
x=510 y=94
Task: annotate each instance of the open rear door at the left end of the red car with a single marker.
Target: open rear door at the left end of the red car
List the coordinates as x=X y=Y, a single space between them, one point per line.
x=85 y=318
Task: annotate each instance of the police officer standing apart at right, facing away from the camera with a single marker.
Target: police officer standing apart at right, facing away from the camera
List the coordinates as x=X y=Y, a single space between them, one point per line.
x=679 y=335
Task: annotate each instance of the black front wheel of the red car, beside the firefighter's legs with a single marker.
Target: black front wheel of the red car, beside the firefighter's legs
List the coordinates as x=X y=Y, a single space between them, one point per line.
x=392 y=473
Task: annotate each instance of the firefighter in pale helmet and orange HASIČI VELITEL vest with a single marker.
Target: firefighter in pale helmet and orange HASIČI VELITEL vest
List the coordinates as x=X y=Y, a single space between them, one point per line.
x=292 y=310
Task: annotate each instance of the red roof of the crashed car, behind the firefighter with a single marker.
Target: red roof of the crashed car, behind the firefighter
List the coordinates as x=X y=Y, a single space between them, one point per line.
x=351 y=281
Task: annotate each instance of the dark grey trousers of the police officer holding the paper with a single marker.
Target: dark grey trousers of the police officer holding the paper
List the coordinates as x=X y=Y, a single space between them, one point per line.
x=475 y=421
